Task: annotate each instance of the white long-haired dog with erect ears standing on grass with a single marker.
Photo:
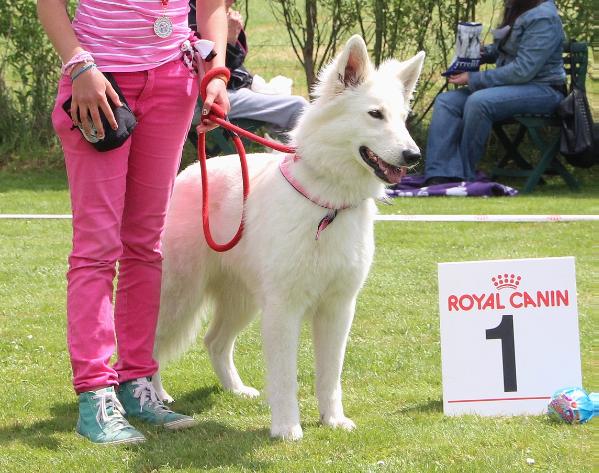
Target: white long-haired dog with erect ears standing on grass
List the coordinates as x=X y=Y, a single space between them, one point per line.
x=289 y=264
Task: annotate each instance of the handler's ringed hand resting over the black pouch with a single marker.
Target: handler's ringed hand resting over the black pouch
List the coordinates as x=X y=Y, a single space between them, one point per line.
x=91 y=91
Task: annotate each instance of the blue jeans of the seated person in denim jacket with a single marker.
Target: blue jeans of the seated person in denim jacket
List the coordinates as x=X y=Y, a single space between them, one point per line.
x=462 y=121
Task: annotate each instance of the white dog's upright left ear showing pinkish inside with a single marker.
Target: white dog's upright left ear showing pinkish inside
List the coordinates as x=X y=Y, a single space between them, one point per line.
x=349 y=69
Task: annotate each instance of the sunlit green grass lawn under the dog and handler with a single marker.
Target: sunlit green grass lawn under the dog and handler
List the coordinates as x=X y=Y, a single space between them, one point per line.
x=392 y=375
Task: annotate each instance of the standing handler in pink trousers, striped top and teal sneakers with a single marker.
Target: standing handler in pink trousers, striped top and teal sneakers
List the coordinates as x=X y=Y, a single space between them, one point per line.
x=119 y=198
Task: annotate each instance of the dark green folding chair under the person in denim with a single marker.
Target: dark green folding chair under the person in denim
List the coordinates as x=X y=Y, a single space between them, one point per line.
x=575 y=63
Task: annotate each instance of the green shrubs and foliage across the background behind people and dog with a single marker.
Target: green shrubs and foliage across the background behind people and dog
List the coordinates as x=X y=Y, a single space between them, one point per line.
x=29 y=67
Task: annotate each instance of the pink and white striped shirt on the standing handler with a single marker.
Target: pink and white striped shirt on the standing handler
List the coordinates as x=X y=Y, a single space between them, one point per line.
x=120 y=33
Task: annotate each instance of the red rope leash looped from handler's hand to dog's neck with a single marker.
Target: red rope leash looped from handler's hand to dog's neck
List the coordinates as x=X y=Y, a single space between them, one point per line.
x=217 y=115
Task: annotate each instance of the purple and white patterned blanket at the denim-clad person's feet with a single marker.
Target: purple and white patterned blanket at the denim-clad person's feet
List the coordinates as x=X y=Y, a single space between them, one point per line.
x=413 y=186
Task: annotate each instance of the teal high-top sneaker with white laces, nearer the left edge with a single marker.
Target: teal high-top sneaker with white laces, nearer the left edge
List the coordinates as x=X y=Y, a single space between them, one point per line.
x=101 y=419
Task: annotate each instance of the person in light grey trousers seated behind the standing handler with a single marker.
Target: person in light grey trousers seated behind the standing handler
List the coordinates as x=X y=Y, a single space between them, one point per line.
x=279 y=112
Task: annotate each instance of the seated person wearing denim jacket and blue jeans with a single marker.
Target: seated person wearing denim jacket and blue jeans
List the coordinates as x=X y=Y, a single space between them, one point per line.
x=529 y=78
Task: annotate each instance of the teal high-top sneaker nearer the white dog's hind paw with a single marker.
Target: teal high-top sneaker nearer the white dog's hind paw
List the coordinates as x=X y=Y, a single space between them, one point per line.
x=140 y=400
